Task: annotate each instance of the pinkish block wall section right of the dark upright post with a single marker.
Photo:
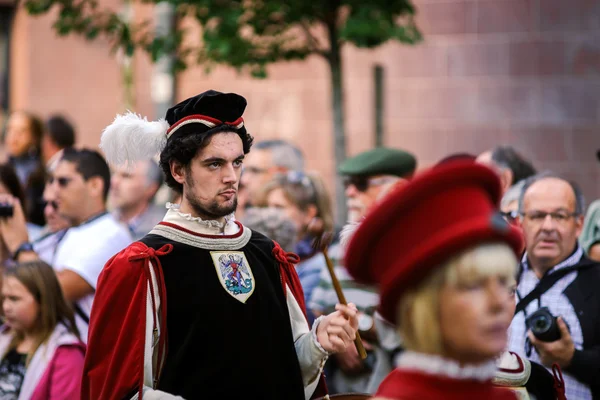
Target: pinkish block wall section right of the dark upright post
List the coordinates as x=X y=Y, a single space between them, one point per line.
x=520 y=72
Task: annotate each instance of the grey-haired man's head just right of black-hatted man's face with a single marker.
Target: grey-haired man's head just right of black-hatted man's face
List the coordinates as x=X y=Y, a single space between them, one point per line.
x=268 y=158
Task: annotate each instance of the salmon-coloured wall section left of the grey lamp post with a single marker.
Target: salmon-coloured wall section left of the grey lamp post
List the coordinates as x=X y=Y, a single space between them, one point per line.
x=78 y=78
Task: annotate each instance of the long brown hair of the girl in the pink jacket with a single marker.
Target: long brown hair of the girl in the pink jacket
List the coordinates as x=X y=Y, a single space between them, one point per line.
x=40 y=280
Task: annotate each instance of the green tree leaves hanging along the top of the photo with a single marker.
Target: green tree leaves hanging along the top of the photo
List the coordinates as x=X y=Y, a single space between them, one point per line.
x=247 y=34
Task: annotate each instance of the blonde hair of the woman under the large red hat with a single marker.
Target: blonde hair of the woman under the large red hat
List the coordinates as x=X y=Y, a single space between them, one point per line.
x=418 y=309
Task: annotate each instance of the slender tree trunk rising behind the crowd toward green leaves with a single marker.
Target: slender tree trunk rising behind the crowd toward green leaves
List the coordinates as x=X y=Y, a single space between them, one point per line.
x=337 y=106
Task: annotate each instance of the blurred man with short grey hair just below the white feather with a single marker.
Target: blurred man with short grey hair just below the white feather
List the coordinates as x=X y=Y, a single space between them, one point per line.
x=132 y=190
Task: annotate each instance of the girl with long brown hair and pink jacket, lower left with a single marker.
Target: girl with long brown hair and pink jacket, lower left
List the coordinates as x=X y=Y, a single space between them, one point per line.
x=42 y=353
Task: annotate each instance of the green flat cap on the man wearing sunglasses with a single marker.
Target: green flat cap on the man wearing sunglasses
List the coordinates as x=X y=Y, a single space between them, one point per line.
x=379 y=161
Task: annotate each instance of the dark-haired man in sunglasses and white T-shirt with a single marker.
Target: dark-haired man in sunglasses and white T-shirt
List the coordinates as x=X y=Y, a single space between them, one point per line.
x=80 y=185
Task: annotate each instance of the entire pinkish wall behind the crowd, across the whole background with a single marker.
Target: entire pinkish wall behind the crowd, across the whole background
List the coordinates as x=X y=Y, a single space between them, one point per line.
x=519 y=72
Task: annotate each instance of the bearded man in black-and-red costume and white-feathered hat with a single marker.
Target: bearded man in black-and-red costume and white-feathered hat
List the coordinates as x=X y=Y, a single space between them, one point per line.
x=202 y=307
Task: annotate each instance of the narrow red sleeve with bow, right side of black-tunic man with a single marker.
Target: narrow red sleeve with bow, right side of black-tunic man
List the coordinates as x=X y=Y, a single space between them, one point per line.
x=289 y=276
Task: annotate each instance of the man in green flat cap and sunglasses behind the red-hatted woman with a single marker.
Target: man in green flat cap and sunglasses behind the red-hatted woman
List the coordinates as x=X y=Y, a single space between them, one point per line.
x=368 y=177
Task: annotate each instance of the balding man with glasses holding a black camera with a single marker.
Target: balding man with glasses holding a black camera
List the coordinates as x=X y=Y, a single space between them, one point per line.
x=557 y=319
